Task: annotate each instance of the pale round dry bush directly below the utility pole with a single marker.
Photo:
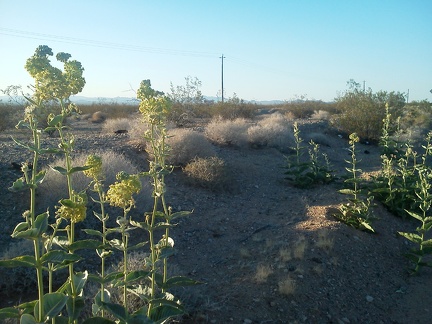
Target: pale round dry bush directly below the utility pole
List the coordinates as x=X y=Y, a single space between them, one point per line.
x=228 y=132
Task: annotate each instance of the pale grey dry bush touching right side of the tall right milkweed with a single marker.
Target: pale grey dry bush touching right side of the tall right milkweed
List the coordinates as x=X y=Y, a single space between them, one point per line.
x=186 y=144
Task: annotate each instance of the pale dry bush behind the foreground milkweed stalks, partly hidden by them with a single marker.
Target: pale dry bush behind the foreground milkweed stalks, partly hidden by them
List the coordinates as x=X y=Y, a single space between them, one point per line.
x=54 y=186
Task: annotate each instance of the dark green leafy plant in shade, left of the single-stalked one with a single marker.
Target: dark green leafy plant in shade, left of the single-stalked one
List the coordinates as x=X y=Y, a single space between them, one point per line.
x=305 y=173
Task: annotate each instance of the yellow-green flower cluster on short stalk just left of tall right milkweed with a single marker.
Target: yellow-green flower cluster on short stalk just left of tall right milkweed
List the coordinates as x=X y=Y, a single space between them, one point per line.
x=120 y=193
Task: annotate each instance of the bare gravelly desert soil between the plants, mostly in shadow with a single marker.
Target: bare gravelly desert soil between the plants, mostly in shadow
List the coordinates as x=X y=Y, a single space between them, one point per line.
x=265 y=251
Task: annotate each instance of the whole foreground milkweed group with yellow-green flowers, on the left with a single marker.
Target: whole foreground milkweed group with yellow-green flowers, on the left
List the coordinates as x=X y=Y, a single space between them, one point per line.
x=53 y=233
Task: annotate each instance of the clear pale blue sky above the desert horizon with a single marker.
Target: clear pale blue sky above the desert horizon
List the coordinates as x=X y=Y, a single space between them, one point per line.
x=274 y=49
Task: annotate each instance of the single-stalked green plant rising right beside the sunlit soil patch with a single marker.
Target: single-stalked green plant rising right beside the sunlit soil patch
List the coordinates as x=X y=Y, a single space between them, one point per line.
x=357 y=211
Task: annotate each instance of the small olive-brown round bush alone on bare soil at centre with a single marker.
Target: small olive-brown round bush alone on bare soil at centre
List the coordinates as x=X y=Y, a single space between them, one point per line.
x=210 y=173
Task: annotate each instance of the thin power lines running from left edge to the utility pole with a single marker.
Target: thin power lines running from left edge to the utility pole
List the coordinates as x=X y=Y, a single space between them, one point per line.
x=102 y=44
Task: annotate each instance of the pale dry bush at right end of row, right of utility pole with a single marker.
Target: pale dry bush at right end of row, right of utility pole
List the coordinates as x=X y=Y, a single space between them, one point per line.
x=272 y=131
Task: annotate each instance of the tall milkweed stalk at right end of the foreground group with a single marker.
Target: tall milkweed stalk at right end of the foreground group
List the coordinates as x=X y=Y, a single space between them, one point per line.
x=155 y=108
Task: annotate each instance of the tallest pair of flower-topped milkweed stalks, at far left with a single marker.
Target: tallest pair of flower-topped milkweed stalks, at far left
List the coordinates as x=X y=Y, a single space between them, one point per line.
x=48 y=107
